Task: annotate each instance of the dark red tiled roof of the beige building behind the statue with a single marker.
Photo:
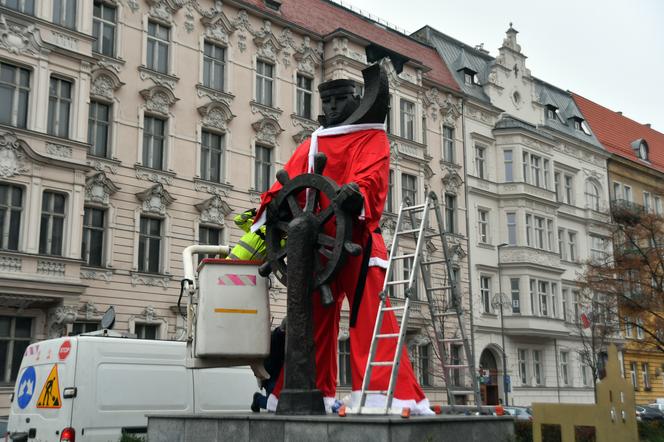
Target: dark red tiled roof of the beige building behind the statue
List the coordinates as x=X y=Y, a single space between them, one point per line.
x=324 y=17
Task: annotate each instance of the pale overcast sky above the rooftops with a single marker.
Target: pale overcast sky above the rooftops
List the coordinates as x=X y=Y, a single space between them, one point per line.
x=609 y=51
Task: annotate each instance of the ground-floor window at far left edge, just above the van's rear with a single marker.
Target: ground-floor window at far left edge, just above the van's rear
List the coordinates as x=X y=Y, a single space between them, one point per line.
x=15 y=336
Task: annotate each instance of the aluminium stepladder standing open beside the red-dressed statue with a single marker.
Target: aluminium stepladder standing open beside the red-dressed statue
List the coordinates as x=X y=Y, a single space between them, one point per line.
x=440 y=307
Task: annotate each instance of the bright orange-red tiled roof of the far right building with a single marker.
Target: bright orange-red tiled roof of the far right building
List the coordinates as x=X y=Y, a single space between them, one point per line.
x=617 y=133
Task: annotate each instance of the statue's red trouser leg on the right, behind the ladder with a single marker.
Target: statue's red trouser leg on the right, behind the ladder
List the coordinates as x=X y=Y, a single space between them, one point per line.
x=407 y=386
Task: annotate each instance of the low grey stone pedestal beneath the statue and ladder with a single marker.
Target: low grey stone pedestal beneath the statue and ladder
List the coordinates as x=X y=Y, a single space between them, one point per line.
x=266 y=427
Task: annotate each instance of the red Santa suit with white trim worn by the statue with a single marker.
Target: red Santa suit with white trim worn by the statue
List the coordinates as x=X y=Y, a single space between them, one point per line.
x=361 y=154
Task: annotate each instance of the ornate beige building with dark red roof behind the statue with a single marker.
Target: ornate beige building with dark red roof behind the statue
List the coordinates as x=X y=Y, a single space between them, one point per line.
x=136 y=128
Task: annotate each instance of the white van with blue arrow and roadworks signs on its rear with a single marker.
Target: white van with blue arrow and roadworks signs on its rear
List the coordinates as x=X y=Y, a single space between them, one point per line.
x=93 y=388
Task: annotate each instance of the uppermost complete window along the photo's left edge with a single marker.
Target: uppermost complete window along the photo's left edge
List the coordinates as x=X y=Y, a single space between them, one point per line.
x=14 y=94
